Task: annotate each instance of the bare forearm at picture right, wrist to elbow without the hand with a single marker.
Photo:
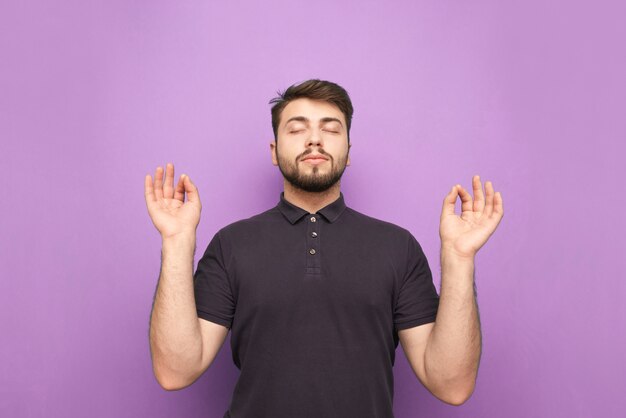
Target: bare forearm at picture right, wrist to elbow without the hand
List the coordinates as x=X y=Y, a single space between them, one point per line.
x=454 y=347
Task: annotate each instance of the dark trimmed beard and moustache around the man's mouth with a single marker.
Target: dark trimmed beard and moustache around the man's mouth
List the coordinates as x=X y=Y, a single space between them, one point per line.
x=314 y=182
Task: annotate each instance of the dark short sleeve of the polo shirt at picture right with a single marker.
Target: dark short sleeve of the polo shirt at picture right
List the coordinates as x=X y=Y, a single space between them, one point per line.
x=417 y=300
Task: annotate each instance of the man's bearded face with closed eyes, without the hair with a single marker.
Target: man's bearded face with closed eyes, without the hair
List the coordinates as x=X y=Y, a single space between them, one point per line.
x=311 y=128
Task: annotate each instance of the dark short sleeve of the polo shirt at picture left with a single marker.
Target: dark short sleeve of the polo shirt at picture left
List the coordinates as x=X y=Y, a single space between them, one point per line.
x=212 y=288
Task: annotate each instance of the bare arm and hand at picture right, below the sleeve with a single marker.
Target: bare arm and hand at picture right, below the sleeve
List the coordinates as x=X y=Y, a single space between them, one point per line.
x=445 y=355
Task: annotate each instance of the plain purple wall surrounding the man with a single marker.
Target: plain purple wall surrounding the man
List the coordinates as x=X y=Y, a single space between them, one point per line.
x=94 y=95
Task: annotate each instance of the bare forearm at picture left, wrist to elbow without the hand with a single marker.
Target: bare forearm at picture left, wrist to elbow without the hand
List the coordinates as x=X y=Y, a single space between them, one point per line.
x=175 y=339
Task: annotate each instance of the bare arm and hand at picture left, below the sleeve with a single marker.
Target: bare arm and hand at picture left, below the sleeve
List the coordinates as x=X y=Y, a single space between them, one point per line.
x=182 y=346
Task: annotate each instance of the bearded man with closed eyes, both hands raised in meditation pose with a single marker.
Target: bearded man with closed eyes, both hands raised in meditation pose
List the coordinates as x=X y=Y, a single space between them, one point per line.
x=316 y=294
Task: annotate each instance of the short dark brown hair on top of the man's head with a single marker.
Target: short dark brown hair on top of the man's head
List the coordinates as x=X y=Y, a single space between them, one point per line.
x=313 y=89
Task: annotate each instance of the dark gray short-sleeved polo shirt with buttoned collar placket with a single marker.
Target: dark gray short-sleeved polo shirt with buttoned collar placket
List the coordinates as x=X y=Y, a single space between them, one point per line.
x=314 y=302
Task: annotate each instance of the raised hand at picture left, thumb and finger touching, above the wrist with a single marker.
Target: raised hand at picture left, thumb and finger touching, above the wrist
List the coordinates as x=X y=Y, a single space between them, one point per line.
x=170 y=214
